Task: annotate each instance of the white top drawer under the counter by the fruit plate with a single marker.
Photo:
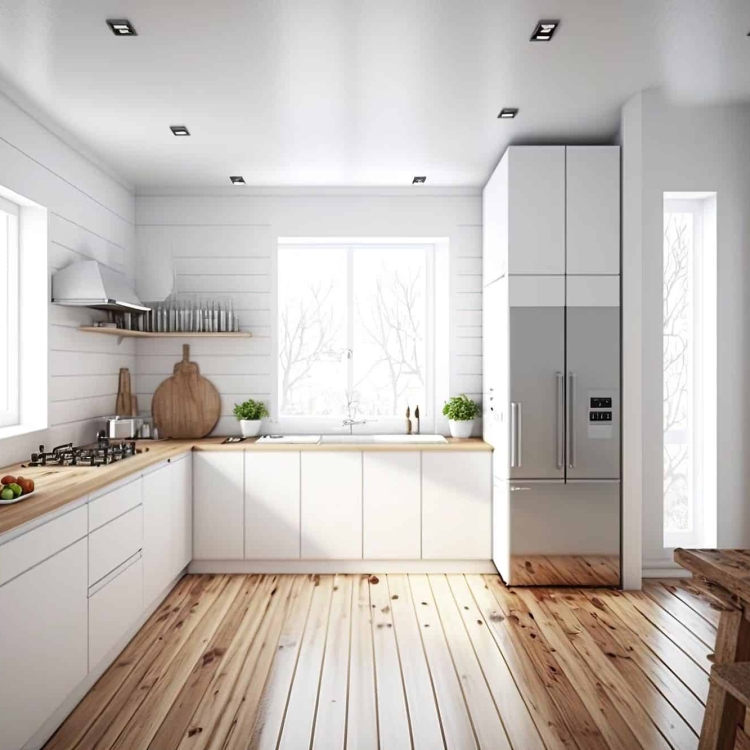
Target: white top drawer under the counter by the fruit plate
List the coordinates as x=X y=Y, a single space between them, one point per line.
x=28 y=550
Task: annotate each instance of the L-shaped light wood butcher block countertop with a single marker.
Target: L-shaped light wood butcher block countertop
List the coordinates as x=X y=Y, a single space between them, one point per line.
x=58 y=486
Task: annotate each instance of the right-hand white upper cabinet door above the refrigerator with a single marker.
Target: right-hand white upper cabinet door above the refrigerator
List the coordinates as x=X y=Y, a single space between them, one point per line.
x=593 y=210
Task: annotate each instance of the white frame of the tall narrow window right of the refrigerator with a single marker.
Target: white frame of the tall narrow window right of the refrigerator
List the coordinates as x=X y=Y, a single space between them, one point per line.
x=702 y=375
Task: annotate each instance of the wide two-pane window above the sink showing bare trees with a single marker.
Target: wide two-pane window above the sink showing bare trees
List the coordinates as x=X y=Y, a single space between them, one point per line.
x=355 y=331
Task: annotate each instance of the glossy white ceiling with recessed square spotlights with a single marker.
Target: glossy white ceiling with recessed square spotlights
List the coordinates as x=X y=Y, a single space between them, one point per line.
x=355 y=92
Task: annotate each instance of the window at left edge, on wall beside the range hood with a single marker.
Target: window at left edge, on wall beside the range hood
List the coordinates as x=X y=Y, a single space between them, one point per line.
x=9 y=317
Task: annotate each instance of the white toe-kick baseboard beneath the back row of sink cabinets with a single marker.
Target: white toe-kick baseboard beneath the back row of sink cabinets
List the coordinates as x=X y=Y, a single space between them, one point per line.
x=342 y=566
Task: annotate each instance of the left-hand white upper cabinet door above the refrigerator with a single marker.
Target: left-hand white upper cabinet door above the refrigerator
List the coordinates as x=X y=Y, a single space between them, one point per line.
x=536 y=210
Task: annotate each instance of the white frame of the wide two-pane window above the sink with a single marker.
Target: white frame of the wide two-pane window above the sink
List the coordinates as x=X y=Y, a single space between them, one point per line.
x=301 y=424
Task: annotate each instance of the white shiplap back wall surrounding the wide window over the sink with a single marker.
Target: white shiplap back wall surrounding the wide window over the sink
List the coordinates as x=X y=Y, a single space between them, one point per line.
x=224 y=244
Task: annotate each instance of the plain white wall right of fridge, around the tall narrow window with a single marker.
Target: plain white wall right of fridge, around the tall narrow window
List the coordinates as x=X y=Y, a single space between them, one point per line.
x=669 y=147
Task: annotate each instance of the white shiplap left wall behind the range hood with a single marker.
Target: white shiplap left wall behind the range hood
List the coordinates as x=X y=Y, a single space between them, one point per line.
x=91 y=215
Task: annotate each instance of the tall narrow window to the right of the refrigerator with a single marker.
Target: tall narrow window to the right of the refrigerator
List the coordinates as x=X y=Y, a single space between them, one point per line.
x=689 y=361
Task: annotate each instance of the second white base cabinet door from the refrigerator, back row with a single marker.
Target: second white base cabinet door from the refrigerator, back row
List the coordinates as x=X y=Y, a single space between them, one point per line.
x=392 y=512
